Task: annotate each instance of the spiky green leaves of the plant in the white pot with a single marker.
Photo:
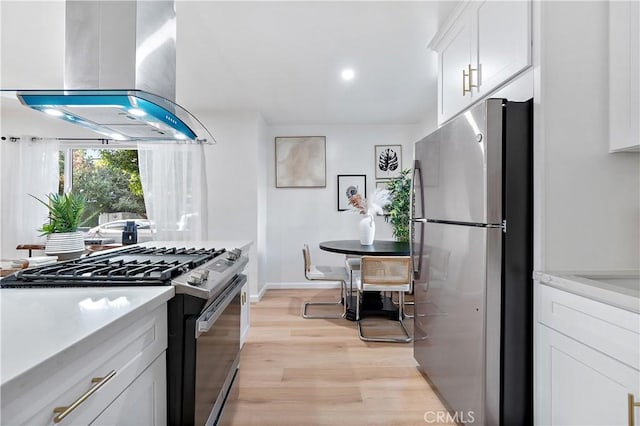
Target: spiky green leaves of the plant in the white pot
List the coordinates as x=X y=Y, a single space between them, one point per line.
x=65 y=211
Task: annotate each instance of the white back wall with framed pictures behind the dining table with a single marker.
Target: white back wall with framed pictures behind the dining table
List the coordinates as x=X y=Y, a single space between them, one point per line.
x=296 y=216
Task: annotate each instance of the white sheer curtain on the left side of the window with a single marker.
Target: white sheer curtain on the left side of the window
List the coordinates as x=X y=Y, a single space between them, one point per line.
x=29 y=166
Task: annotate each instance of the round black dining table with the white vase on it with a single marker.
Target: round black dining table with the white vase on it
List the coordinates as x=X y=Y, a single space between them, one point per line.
x=373 y=304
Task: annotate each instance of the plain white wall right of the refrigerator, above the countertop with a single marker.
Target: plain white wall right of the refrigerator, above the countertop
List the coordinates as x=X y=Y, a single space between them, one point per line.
x=588 y=199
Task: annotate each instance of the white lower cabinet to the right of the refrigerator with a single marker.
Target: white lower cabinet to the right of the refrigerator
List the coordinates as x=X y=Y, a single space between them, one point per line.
x=587 y=361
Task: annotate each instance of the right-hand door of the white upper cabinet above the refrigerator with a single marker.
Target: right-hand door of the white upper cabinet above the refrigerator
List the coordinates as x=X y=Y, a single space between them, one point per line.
x=503 y=43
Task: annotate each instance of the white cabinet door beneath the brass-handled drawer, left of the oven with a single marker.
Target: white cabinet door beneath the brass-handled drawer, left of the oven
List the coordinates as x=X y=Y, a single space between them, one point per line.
x=143 y=402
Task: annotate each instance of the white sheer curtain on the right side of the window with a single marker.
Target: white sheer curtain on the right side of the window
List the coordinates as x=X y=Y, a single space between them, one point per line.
x=175 y=190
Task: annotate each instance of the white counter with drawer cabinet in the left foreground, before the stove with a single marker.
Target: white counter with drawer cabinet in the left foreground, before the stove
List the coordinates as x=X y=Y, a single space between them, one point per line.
x=55 y=342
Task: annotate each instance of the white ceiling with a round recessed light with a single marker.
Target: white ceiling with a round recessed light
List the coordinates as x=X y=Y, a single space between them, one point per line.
x=284 y=59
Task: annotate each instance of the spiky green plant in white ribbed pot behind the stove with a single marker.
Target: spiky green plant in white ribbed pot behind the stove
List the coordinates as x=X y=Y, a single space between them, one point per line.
x=63 y=238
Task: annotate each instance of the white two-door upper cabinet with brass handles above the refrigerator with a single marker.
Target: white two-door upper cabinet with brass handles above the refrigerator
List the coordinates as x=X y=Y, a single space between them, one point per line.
x=481 y=46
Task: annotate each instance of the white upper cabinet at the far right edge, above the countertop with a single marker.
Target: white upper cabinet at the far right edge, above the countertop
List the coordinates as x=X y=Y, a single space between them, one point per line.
x=624 y=72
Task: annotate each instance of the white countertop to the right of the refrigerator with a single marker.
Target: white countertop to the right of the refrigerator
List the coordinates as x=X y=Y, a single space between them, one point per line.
x=616 y=288
